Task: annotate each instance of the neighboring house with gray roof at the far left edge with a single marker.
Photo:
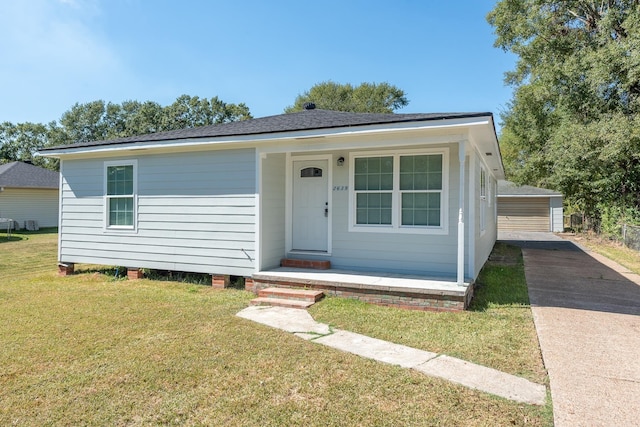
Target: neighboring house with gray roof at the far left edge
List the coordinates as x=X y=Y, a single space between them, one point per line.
x=29 y=193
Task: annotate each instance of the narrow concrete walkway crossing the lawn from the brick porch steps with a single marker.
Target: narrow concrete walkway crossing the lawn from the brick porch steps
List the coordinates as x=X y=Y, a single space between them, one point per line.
x=459 y=371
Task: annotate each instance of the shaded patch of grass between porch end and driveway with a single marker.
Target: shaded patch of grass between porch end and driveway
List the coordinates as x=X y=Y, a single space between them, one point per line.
x=501 y=282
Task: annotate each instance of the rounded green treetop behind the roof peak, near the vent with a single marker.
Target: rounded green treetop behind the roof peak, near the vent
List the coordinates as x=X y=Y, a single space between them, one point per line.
x=366 y=98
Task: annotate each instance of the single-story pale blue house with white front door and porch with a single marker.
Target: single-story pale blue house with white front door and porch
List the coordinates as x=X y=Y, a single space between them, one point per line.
x=390 y=194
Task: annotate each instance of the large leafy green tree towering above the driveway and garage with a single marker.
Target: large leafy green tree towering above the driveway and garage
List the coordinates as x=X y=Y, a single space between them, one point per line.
x=573 y=123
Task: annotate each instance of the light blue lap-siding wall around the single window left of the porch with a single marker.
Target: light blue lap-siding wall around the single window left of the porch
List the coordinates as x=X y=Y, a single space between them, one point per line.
x=196 y=212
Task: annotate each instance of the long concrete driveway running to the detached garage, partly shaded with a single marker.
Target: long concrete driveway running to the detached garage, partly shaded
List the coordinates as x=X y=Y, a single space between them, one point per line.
x=586 y=310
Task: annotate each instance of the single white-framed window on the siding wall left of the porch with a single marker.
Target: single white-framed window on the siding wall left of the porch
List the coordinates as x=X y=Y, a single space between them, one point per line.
x=120 y=191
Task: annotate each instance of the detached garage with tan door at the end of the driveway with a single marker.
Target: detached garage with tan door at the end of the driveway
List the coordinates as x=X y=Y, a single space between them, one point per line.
x=526 y=208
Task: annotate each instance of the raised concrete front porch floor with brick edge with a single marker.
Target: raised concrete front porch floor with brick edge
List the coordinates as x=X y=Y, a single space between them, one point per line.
x=406 y=291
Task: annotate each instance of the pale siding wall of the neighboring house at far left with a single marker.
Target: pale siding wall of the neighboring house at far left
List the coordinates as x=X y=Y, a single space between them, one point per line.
x=24 y=204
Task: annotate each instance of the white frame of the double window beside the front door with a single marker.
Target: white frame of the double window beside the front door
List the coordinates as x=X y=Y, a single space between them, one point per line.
x=396 y=201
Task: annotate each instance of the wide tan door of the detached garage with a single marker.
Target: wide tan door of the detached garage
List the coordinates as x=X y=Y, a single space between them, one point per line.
x=523 y=214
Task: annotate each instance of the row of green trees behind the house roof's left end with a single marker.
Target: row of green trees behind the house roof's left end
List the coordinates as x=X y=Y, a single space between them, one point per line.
x=97 y=120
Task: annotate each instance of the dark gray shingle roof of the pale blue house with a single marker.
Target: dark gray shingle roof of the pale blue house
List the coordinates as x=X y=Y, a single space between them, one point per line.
x=303 y=120
